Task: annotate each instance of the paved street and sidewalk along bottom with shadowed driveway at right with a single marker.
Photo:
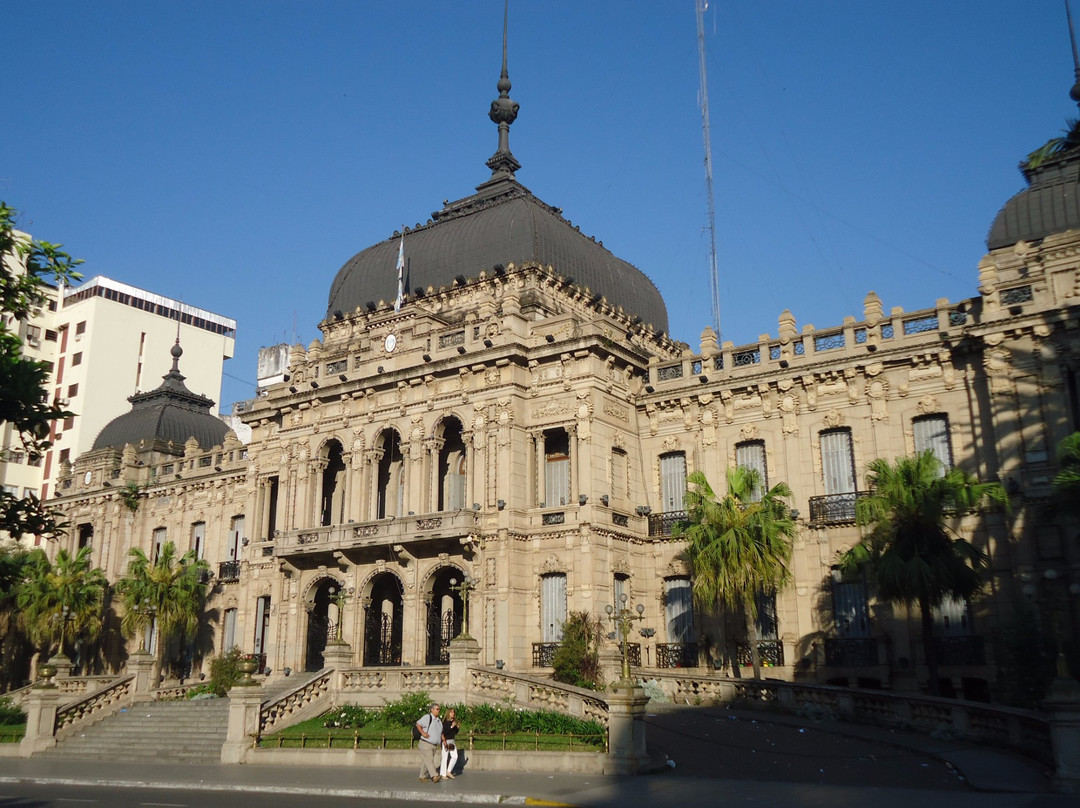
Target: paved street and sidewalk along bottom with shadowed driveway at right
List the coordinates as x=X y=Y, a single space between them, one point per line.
x=735 y=757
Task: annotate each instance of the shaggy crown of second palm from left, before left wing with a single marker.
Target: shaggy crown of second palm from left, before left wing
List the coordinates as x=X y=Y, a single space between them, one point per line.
x=168 y=594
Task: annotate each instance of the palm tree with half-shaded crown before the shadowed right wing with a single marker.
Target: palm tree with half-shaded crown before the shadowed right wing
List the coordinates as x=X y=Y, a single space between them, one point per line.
x=910 y=550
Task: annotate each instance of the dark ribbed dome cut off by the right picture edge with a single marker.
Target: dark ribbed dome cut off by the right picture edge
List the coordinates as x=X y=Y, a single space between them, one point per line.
x=1050 y=205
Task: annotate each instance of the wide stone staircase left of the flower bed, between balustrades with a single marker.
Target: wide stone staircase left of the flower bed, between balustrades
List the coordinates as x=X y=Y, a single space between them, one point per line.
x=161 y=732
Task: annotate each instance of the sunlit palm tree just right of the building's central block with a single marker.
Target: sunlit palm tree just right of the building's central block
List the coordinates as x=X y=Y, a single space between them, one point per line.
x=739 y=547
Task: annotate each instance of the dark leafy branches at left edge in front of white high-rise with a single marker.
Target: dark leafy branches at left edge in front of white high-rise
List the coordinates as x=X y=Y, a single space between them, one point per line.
x=24 y=402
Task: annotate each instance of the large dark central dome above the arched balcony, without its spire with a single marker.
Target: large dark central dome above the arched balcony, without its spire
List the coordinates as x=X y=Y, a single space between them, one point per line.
x=501 y=225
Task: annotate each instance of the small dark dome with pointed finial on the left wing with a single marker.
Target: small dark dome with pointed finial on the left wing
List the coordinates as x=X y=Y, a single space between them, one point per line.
x=171 y=413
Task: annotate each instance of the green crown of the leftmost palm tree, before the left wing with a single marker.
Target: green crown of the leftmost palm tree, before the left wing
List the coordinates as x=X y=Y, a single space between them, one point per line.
x=61 y=600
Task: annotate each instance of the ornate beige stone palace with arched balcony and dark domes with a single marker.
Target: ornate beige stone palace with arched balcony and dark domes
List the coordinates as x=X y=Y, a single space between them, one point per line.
x=520 y=418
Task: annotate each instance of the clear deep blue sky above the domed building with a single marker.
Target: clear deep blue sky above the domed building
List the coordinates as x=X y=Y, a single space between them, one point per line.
x=235 y=155
